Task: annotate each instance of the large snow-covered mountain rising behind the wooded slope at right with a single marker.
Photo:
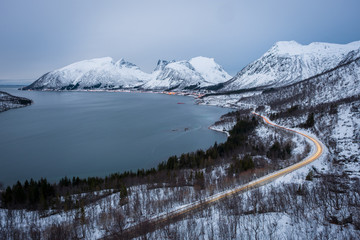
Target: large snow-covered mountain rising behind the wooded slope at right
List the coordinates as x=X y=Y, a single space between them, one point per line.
x=289 y=62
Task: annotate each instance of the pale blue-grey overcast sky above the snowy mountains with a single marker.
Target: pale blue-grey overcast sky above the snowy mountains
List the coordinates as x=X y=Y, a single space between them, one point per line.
x=38 y=36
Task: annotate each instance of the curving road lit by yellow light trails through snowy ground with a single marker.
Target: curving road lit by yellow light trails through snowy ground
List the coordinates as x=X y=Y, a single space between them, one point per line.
x=315 y=154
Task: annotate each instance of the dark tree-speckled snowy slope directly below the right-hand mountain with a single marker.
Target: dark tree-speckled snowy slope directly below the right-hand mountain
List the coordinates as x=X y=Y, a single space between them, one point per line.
x=341 y=82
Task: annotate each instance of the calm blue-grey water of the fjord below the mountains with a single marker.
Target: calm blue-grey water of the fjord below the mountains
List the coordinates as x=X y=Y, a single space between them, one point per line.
x=97 y=133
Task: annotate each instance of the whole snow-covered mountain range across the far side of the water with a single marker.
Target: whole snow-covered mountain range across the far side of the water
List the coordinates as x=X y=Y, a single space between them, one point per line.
x=284 y=64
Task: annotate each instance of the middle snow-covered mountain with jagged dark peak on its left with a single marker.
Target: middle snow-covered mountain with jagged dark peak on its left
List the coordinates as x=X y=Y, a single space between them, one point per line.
x=196 y=73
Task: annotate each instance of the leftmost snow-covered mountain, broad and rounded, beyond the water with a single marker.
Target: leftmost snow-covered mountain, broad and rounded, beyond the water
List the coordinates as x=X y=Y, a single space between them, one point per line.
x=94 y=73
